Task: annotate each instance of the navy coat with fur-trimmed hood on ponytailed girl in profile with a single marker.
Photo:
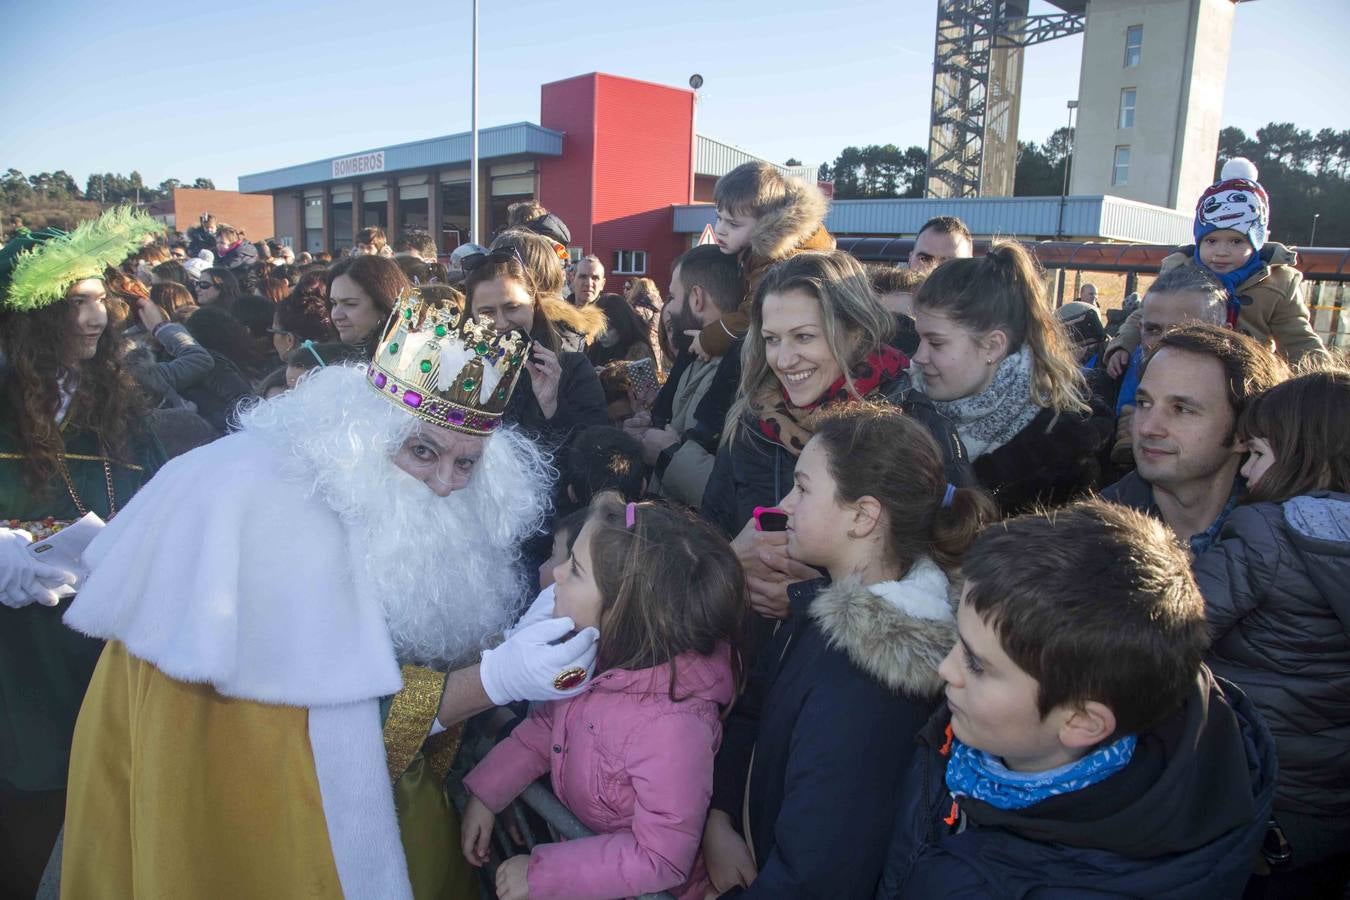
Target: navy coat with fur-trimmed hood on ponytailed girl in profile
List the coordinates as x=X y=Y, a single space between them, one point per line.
x=813 y=752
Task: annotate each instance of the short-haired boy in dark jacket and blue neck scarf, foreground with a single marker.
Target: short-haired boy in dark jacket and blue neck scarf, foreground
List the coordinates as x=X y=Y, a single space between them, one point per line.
x=1083 y=748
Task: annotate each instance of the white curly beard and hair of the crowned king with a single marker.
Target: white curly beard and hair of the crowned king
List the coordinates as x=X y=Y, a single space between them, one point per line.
x=445 y=570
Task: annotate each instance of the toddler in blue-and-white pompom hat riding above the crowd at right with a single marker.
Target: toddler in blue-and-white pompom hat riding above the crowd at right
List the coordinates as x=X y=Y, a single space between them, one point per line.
x=1232 y=226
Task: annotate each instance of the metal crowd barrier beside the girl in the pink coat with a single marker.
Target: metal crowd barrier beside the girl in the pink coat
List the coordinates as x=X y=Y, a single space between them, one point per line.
x=537 y=799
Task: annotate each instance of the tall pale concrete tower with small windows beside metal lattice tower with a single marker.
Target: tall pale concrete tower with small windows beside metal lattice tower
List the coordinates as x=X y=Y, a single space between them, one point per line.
x=1151 y=95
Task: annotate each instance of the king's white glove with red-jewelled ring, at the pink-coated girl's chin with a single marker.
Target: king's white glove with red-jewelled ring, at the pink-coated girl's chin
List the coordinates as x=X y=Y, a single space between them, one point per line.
x=529 y=667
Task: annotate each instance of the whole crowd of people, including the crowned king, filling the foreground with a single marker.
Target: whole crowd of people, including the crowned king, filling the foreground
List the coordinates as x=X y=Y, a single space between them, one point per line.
x=801 y=578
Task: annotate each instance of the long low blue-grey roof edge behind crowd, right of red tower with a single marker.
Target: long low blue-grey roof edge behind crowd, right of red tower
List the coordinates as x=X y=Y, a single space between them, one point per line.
x=1098 y=217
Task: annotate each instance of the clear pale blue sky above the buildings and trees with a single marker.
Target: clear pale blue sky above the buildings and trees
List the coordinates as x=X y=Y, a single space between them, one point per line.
x=223 y=90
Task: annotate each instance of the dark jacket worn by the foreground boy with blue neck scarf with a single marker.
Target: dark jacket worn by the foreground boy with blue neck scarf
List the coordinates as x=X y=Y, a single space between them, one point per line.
x=1183 y=821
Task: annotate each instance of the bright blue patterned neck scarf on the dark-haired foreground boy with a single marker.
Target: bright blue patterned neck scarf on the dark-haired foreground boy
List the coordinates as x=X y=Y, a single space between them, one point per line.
x=975 y=774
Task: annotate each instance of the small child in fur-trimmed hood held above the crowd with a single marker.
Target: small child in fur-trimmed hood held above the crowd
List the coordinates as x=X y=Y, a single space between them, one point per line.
x=763 y=218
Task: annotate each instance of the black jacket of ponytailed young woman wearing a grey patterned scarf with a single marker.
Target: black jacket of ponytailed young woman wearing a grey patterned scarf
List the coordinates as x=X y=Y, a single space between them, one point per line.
x=1051 y=462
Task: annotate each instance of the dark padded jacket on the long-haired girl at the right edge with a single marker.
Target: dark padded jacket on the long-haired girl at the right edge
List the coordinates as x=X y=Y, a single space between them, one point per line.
x=1278 y=600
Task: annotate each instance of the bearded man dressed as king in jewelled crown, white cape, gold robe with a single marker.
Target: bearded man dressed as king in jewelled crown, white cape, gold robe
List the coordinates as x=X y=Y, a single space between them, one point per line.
x=268 y=594
